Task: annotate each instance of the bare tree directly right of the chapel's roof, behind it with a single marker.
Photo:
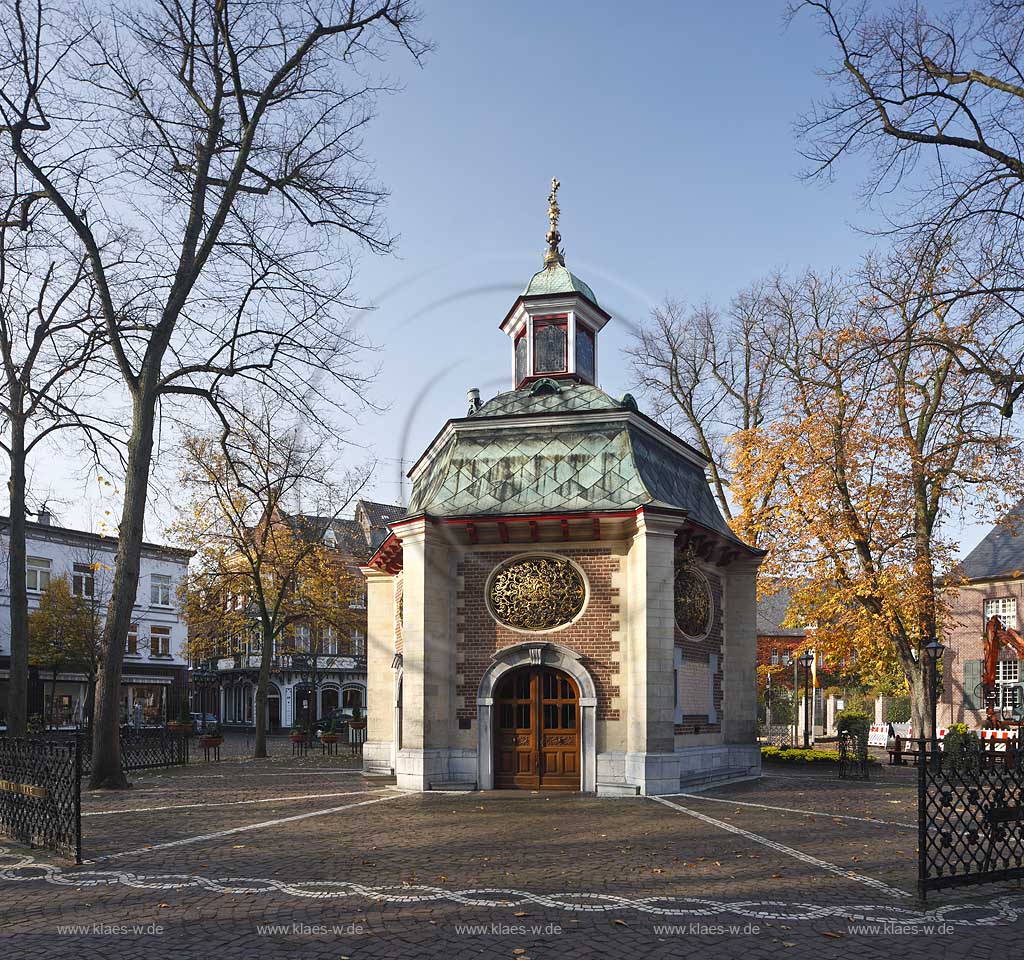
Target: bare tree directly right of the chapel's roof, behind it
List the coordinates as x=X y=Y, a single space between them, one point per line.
x=712 y=375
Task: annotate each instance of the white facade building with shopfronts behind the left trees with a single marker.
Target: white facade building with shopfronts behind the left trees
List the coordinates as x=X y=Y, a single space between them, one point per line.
x=155 y=667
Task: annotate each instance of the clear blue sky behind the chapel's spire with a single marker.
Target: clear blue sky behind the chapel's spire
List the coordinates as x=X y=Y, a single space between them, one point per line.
x=673 y=137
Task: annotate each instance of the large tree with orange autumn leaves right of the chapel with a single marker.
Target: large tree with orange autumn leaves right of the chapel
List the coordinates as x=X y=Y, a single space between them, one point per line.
x=880 y=439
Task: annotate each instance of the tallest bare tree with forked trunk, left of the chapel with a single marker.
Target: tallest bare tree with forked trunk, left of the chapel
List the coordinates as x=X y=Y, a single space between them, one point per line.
x=207 y=156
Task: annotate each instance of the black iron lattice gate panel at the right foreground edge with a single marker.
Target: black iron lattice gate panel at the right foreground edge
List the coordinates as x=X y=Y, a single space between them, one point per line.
x=970 y=818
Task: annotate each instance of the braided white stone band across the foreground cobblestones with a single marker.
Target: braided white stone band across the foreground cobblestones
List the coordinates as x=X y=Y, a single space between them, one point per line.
x=1001 y=910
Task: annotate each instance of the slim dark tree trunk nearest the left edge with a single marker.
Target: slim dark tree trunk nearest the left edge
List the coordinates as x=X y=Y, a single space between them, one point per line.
x=18 y=685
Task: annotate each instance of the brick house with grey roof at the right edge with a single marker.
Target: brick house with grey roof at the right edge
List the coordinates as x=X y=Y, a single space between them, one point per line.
x=994 y=586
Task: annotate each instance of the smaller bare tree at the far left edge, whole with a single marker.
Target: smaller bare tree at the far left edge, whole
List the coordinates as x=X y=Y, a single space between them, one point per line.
x=50 y=332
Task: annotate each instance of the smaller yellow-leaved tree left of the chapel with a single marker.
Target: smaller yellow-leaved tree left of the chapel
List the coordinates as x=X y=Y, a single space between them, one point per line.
x=261 y=502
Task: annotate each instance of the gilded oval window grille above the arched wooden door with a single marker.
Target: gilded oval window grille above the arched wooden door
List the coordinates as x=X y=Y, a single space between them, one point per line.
x=537 y=594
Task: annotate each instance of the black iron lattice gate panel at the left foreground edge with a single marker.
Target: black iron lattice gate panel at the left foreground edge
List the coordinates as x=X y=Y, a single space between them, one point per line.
x=40 y=794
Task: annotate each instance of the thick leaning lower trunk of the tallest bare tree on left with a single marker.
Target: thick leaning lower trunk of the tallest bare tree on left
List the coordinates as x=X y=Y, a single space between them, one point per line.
x=107 y=772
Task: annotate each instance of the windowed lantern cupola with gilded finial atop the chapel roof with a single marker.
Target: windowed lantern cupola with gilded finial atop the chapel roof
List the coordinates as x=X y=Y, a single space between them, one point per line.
x=554 y=324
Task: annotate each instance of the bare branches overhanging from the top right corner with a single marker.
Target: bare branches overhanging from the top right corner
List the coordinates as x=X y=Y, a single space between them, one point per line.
x=936 y=99
